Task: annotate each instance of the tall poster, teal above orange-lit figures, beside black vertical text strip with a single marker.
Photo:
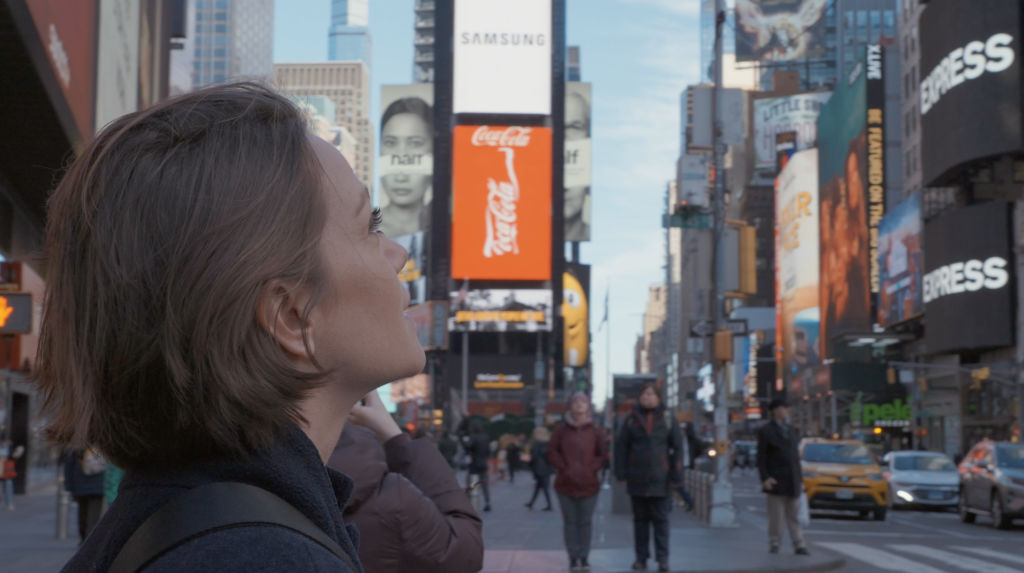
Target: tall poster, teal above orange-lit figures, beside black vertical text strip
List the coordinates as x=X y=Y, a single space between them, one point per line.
x=846 y=295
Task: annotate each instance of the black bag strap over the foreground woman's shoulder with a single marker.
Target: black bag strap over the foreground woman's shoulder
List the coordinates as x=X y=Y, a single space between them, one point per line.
x=212 y=508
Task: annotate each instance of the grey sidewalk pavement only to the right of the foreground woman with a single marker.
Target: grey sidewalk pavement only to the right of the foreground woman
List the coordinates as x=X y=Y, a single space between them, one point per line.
x=521 y=541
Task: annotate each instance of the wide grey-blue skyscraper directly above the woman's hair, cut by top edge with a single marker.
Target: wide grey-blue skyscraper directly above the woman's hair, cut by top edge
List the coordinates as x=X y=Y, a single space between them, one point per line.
x=234 y=39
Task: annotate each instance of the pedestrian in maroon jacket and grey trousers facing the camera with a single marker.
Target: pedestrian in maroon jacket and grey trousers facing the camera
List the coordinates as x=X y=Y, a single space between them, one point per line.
x=578 y=451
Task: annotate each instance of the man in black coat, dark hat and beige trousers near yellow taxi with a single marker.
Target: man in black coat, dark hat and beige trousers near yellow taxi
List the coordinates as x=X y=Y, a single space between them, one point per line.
x=782 y=480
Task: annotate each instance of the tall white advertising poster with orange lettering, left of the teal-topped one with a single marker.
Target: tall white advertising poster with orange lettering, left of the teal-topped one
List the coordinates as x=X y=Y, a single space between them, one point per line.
x=797 y=219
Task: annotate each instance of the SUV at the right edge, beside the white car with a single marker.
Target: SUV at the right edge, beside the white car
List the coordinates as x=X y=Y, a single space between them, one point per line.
x=993 y=483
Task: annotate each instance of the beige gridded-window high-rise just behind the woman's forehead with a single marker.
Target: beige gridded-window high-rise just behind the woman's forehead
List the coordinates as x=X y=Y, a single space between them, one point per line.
x=347 y=84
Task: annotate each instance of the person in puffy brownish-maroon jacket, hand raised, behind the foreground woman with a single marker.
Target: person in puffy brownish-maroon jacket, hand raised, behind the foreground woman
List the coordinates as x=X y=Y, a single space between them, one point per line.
x=407 y=504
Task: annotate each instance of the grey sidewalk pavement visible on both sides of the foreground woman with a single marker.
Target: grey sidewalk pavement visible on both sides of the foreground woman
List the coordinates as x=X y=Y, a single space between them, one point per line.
x=518 y=541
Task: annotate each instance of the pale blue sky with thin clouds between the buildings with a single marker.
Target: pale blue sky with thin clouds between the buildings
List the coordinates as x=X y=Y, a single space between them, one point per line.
x=639 y=56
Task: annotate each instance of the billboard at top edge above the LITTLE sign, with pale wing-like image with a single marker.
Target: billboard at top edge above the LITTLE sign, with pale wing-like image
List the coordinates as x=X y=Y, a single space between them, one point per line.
x=781 y=30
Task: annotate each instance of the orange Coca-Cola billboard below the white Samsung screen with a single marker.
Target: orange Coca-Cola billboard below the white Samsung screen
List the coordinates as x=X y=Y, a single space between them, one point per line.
x=501 y=203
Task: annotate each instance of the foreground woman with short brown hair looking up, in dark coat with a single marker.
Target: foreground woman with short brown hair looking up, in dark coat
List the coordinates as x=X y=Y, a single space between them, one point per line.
x=219 y=300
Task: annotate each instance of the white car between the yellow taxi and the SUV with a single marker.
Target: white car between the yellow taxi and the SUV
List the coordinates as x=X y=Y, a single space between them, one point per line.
x=922 y=478
